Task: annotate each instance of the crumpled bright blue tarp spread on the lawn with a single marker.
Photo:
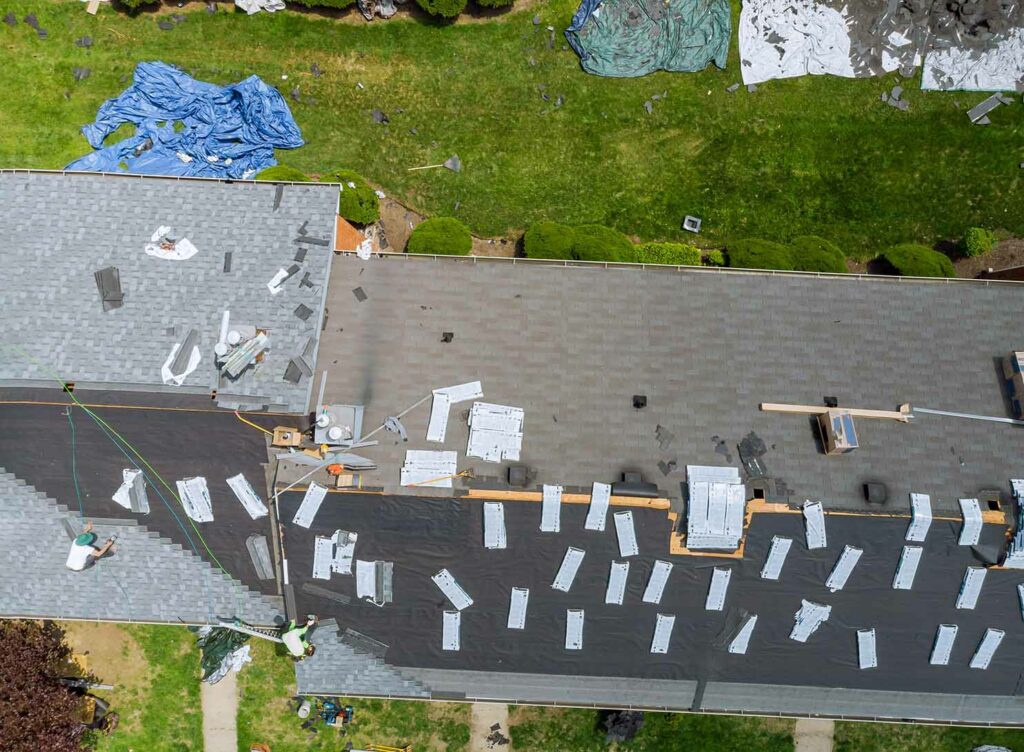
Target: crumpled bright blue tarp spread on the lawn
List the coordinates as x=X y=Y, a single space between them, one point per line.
x=229 y=132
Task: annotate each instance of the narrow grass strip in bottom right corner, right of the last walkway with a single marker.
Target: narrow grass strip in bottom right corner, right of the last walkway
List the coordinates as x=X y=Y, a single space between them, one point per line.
x=906 y=738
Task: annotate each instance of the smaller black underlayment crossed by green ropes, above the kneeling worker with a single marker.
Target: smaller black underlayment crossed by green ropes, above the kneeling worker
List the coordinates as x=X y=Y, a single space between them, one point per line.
x=36 y=446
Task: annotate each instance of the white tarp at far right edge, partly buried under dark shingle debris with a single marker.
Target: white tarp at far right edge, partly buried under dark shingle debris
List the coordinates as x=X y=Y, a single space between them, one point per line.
x=999 y=68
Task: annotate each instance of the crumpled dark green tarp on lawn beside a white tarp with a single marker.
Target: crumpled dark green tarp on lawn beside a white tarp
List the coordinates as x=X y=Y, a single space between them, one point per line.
x=627 y=38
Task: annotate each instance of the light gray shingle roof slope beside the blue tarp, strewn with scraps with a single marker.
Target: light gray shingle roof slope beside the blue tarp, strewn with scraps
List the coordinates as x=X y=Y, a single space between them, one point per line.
x=61 y=229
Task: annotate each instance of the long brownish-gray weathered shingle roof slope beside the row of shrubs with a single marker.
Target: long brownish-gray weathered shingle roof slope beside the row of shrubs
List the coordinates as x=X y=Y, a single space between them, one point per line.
x=572 y=346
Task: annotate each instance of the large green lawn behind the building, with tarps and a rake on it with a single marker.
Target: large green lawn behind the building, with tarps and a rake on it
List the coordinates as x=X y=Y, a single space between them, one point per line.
x=809 y=156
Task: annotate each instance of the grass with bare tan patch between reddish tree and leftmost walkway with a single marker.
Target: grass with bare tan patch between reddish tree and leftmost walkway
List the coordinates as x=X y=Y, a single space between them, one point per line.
x=156 y=675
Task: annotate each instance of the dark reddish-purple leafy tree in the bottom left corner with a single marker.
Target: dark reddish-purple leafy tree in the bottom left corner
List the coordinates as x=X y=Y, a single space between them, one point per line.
x=38 y=712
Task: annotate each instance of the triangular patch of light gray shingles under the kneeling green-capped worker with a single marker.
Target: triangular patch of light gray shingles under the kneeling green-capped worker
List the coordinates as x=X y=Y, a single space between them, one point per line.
x=149 y=579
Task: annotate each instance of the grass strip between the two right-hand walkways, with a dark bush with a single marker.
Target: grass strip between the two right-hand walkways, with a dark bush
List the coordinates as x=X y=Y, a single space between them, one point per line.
x=541 y=730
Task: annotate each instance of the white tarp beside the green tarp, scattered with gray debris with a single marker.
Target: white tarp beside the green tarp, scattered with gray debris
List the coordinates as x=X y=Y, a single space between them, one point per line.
x=789 y=38
